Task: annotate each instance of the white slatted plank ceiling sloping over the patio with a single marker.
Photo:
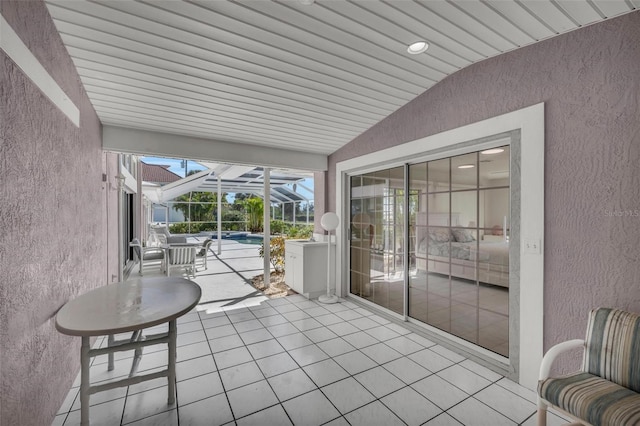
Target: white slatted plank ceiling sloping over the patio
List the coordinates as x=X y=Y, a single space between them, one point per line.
x=285 y=74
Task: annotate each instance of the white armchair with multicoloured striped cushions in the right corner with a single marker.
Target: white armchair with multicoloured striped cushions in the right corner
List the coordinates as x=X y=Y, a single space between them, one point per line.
x=607 y=389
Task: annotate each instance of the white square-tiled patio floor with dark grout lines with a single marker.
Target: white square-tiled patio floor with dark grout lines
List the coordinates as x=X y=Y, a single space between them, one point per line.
x=244 y=359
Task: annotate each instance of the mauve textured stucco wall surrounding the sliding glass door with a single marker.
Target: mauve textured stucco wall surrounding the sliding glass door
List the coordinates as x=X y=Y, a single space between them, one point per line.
x=589 y=80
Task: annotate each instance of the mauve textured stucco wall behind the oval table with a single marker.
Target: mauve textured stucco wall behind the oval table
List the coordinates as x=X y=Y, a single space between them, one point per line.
x=53 y=221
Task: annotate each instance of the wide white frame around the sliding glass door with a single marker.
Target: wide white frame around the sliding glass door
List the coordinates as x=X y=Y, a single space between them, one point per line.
x=525 y=359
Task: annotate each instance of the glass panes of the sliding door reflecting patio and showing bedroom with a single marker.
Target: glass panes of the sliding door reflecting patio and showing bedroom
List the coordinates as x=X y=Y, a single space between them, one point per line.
x=457 y=252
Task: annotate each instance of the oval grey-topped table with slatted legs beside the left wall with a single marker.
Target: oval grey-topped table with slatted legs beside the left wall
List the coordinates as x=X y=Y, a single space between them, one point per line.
x=127 y=307
